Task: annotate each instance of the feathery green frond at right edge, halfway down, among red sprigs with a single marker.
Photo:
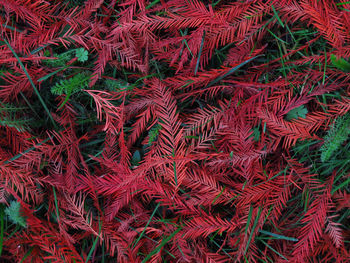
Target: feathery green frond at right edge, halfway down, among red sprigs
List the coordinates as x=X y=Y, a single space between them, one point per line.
x=336 y=136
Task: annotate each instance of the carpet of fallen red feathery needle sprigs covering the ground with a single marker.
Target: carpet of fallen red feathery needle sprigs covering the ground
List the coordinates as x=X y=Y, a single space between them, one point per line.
x=217 y=180
